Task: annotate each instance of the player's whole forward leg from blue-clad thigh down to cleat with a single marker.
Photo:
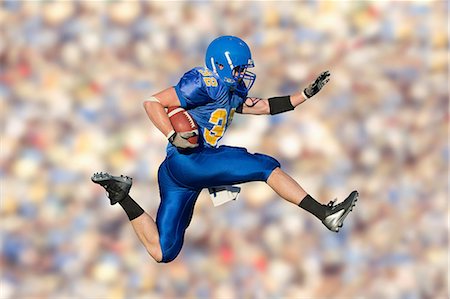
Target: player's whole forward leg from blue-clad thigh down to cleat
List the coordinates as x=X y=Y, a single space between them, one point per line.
x=231 y=165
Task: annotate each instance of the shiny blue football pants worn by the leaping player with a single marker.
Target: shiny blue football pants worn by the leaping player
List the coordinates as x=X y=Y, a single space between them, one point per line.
x=181 y=177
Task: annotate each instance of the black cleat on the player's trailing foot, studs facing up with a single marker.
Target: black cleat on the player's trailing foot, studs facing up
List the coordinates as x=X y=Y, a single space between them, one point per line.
x=117 y=187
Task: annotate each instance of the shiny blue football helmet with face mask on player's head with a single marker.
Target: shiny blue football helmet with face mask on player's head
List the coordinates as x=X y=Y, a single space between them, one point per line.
x=229 y=57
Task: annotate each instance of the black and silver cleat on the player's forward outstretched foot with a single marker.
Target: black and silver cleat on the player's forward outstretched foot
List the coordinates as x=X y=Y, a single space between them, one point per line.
x=335 y=214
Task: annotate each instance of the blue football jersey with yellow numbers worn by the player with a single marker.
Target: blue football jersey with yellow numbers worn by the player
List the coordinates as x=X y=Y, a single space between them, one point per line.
x=210 y=103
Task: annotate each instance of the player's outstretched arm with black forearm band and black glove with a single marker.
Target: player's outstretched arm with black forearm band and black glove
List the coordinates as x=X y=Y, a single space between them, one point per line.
x=276 y=105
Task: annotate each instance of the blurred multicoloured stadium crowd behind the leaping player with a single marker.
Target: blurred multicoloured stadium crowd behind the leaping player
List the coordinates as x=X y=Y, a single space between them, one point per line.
x=73 y=79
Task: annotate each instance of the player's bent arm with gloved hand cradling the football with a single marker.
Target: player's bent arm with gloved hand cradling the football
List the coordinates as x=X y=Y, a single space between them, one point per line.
x=155 y=109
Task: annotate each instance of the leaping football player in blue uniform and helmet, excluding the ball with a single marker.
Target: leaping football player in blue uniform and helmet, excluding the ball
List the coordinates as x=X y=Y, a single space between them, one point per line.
x=212 y=94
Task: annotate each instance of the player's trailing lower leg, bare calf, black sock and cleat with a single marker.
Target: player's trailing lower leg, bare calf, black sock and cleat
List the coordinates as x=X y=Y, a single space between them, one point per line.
x=143 y=224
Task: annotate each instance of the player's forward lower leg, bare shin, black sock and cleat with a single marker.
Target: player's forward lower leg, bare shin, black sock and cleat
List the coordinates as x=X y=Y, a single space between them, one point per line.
x=332 y=216
